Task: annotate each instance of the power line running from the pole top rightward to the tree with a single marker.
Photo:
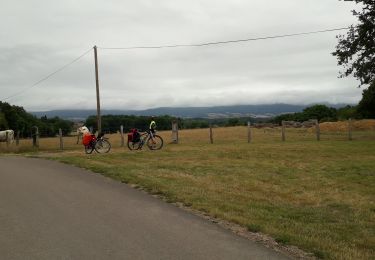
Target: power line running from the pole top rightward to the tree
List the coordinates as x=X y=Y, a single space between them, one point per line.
x=222 y=42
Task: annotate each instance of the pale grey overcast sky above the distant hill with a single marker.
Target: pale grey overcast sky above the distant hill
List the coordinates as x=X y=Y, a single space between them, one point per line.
x=41 y=36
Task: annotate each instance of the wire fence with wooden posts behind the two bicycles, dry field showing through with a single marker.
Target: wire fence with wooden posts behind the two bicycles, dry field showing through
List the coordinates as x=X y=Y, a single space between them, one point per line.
x=351 y=130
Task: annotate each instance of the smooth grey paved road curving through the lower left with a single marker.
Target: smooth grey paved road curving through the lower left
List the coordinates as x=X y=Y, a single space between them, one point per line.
x=50 y=210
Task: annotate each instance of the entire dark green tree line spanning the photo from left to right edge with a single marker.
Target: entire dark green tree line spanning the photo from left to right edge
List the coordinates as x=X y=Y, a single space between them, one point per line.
x=16 y=118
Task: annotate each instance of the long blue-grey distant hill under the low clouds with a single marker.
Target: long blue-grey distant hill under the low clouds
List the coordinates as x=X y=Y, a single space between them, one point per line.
x=186 y=112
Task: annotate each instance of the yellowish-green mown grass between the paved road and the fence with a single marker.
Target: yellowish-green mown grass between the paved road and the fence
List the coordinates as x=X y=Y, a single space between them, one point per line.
x=319 y=196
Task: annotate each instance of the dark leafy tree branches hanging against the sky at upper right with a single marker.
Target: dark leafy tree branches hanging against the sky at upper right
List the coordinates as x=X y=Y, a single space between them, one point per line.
x=356 y=51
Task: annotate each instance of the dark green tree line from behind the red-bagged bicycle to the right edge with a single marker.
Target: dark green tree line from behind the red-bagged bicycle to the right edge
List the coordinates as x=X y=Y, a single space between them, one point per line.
x=323 y=113
